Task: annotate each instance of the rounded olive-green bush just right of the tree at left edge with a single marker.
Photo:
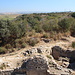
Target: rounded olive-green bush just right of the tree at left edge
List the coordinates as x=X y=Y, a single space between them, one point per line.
x=18 y=30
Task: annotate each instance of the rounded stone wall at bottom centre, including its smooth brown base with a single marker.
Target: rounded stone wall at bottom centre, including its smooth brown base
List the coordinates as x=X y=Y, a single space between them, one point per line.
x=37 y=65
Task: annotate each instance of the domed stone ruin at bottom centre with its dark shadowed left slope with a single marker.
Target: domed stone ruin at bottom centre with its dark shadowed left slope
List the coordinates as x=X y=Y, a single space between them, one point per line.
x=37 y=65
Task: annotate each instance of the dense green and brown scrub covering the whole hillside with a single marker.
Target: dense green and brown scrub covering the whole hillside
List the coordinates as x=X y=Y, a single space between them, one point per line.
x=23 y=30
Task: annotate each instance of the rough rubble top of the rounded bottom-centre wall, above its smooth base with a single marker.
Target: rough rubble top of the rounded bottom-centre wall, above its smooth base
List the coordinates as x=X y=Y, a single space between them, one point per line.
x=37 y=63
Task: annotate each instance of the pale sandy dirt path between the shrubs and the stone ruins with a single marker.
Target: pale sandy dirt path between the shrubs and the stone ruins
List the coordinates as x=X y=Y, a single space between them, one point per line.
x=15 y=59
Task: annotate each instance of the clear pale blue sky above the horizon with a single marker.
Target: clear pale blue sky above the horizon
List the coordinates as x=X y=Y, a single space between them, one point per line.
x=36 y=5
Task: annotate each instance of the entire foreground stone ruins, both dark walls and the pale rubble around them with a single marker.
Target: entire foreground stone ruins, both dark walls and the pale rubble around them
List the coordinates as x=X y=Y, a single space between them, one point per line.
x=39 y=61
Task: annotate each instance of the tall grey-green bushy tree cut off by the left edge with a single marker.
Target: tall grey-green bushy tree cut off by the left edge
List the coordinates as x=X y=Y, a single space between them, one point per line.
x=4 y=31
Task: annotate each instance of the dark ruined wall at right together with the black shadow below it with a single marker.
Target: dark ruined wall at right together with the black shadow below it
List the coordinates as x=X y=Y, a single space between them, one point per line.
x=58 y=52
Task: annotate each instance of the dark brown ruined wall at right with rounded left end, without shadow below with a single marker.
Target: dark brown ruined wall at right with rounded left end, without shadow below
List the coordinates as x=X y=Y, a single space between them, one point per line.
x=59 y=52
